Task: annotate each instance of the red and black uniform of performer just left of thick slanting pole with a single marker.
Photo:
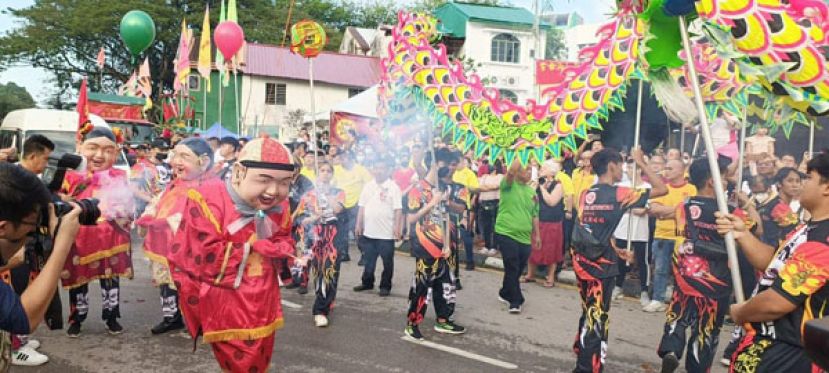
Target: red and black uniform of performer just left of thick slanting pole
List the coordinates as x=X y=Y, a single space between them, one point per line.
x=703 y=280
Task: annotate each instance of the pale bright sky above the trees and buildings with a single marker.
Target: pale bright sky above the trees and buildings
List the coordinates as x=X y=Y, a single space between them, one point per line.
x=36 y=81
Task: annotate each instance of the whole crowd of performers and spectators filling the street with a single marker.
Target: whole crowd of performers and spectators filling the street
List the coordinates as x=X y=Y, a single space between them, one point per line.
x=227 y=222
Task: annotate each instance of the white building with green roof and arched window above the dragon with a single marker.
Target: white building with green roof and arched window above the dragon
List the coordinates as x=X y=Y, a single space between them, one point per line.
x=501 y=39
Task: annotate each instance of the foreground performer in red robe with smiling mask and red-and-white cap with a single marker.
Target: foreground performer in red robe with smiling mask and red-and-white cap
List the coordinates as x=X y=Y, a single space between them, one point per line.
x=224 y=257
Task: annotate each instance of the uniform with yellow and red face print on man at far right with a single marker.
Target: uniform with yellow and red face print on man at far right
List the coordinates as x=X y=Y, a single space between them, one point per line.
x=799 y=272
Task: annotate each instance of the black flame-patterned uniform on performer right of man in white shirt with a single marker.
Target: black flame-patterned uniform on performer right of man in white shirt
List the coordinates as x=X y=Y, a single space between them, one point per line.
x=432 y=271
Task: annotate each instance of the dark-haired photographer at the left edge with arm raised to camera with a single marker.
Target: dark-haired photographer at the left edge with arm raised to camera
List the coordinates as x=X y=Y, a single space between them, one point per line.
x=22 y=196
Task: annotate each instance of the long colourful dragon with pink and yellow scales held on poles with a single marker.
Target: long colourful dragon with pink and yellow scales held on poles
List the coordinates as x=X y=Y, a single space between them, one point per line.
x=747 y=44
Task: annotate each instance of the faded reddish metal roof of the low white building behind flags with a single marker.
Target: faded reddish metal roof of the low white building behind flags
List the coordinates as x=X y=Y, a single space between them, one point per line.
x=333 y=68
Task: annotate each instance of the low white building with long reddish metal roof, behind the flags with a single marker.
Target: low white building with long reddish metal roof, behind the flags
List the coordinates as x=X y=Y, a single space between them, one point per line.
x=276 y=82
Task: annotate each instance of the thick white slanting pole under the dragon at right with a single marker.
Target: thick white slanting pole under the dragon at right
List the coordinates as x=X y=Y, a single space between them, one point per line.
x=711 y=154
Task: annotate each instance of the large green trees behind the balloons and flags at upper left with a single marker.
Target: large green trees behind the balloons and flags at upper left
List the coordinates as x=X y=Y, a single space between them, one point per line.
x=64 y=36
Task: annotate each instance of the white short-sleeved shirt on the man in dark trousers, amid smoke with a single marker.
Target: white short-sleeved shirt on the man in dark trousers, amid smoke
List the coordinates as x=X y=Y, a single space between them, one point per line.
x=379 y=203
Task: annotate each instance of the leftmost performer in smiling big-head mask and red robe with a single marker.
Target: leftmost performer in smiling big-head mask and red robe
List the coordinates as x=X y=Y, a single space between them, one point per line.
x=101 y=251
